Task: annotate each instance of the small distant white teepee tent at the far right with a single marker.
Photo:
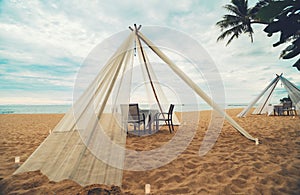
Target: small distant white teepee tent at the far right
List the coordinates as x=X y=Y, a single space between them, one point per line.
x=265 y=96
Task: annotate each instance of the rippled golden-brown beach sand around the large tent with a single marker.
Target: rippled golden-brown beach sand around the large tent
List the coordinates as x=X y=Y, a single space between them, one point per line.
x=234 y=165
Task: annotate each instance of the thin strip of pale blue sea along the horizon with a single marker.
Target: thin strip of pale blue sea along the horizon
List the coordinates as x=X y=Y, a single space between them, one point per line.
x=60 y=109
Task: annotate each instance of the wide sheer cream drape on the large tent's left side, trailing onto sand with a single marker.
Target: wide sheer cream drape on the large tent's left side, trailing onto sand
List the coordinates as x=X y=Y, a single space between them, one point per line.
x=84 y=145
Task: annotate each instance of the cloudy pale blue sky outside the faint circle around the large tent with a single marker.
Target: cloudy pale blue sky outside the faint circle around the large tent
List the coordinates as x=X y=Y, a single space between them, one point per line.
x=44 y=43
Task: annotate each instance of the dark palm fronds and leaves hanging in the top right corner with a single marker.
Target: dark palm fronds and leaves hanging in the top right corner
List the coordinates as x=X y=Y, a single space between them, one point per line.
x=279 y=16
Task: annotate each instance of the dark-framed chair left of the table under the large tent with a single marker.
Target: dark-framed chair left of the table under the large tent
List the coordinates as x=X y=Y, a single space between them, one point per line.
x=134 y=116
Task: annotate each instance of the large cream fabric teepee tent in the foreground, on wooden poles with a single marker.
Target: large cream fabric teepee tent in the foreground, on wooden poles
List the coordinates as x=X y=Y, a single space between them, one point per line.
x=87 y=145
